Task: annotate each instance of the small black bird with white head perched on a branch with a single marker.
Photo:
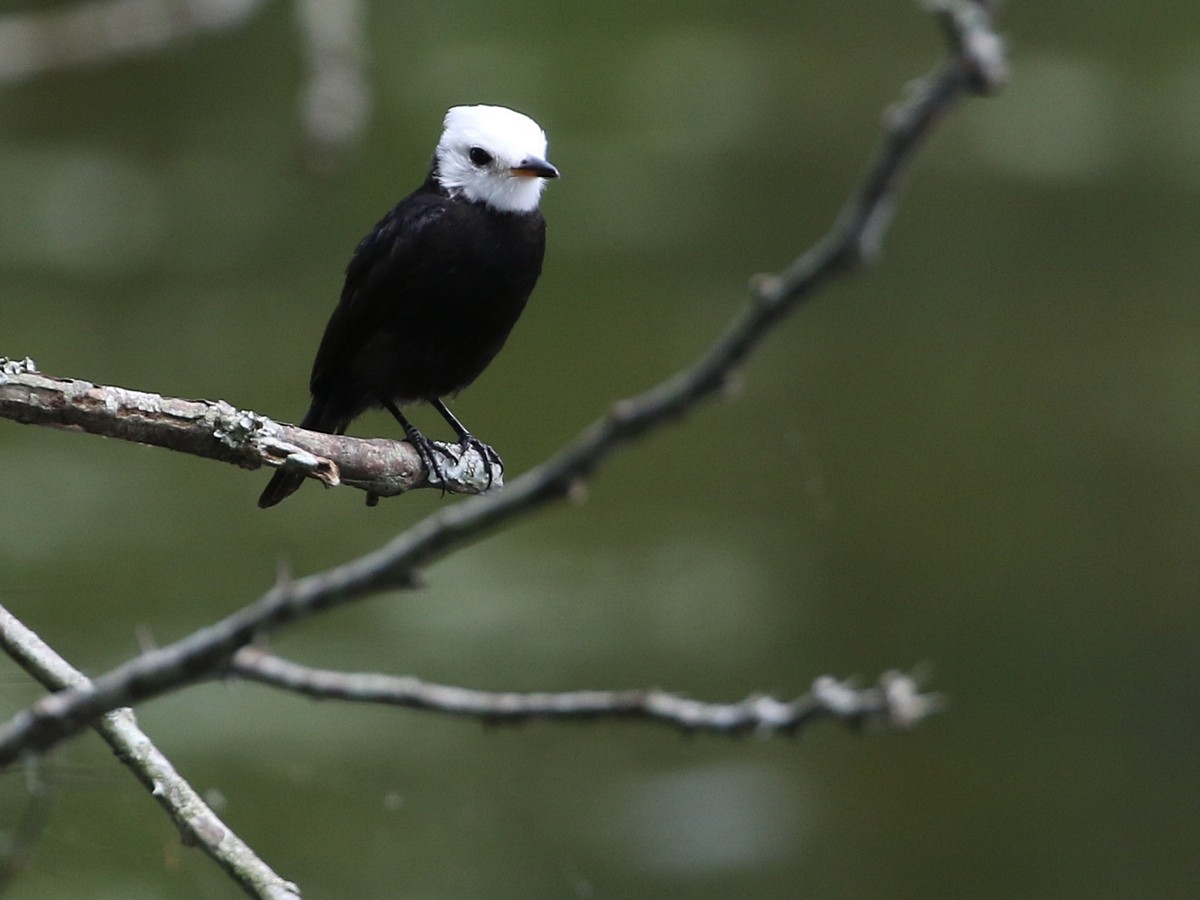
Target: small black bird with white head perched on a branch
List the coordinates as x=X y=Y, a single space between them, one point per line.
x=433 y=292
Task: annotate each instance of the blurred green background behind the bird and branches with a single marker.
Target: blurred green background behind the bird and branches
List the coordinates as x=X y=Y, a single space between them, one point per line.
x=980 y=457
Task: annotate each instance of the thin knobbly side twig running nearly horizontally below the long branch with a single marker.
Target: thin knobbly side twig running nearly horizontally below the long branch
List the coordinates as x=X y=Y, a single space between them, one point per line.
x=896 y=703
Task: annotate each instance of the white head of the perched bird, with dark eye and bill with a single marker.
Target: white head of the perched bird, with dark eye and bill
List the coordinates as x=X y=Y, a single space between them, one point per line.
x=495 y=157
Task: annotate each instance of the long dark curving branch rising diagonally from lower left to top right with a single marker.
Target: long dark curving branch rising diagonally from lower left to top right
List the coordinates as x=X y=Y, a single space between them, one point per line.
x=859 y=229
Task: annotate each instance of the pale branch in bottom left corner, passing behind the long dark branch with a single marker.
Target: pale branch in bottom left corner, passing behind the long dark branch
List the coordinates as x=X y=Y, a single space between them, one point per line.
x=199 y=825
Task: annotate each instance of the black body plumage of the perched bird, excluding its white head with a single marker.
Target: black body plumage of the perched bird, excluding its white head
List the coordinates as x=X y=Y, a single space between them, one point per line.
x=430 y=298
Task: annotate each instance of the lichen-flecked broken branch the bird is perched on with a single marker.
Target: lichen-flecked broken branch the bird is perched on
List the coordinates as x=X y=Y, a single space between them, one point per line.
x=215 y=430
